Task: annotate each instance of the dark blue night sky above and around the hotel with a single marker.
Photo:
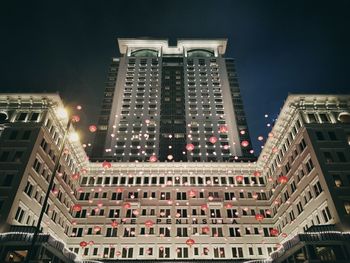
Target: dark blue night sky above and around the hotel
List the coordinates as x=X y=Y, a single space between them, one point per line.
x=281 y=47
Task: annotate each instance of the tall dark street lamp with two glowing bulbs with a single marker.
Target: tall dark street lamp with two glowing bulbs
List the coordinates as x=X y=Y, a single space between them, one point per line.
x=62 y=114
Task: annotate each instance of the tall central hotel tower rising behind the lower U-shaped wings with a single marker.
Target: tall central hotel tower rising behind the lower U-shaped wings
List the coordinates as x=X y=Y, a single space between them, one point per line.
x=172 y=103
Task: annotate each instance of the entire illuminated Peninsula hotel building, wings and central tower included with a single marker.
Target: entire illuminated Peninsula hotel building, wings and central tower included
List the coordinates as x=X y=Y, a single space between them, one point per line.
x=172 y=175
